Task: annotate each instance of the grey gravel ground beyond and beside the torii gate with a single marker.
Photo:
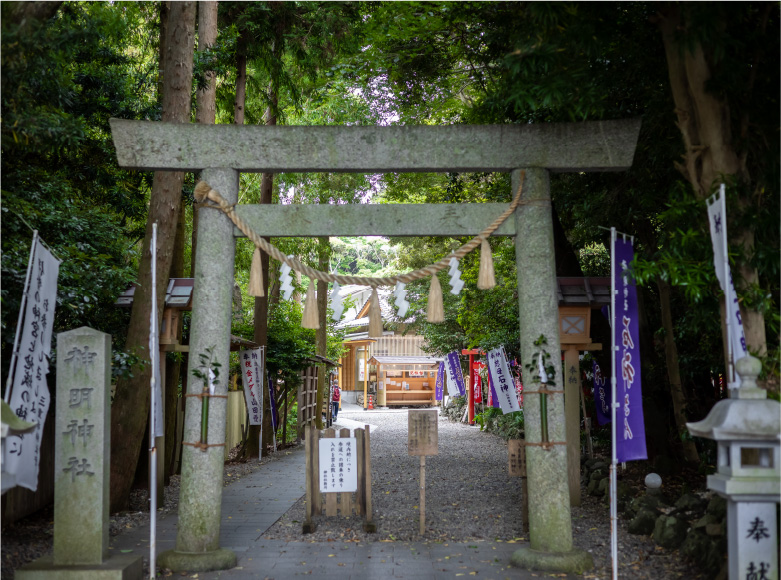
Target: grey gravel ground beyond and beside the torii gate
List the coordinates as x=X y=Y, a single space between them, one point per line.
x=469 y=498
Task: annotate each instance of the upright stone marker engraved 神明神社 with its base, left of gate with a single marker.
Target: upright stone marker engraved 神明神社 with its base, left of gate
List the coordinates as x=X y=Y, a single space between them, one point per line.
x=81 y=465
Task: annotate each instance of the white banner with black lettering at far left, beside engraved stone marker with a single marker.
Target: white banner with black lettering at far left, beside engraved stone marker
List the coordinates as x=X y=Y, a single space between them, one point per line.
x=30 y=396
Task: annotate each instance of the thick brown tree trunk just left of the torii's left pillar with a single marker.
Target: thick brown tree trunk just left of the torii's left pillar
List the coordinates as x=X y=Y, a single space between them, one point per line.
x=130 y=407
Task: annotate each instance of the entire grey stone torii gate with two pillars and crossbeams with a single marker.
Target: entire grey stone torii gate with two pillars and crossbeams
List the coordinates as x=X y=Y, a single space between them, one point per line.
x=223 y=151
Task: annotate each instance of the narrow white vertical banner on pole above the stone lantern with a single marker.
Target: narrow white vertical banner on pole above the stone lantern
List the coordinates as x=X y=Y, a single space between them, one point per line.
x=717 y=217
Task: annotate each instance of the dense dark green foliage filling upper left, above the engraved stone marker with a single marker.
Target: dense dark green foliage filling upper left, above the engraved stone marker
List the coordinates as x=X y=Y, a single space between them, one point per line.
x=61 y=81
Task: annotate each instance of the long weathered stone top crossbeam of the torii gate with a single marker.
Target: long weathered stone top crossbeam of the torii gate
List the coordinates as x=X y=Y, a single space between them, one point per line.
x=558 y=147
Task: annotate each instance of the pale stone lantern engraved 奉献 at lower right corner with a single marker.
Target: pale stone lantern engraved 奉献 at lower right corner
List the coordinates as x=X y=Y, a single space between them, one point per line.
x=747 y=428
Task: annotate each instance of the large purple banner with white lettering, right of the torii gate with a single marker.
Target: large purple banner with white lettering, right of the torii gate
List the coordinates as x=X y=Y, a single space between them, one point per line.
x=630 y=427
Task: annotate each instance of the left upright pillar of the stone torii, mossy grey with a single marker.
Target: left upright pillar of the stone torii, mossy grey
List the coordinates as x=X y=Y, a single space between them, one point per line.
x=200 y=499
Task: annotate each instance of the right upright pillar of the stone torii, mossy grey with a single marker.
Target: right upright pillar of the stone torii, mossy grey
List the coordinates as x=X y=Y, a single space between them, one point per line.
x=550 y=520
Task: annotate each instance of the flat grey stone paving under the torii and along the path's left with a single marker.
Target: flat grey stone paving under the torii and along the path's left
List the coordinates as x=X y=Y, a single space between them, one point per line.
x=253 y=503
